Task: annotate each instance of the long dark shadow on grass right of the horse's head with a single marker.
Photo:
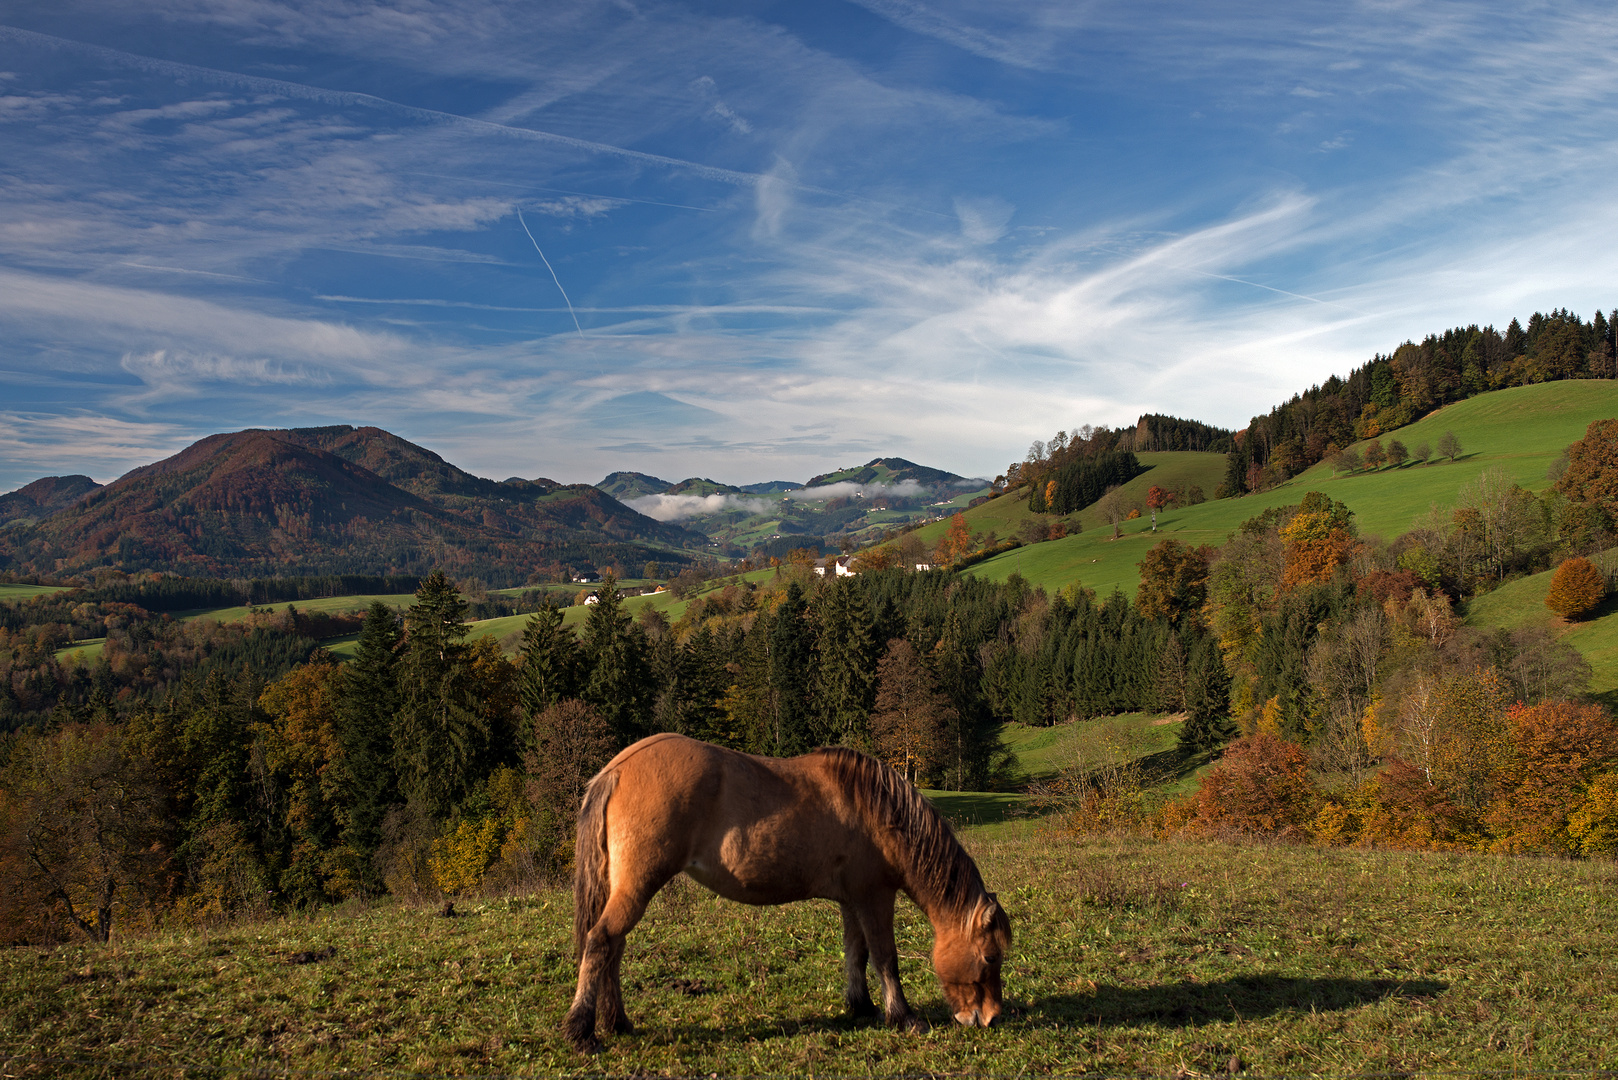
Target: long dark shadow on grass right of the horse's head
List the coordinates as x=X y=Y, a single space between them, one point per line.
x=1242 y=998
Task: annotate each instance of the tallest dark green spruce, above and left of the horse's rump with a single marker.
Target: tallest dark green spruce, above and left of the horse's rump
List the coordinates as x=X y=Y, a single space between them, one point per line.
x=443 y=736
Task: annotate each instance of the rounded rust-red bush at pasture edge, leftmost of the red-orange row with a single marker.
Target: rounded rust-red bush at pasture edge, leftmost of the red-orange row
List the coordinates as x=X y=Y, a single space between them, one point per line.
x=1261 y=786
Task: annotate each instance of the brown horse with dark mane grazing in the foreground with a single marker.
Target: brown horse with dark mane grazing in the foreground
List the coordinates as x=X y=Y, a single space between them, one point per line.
x=832 y=825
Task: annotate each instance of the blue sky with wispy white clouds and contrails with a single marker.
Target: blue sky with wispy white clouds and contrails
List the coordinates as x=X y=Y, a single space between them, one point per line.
x=792 y=237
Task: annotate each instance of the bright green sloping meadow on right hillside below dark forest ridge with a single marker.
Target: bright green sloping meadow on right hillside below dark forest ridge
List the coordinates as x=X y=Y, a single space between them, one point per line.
x=1522 y=430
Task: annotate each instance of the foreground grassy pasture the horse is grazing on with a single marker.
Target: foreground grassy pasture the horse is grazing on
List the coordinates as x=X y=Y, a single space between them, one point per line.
x=1133 y=958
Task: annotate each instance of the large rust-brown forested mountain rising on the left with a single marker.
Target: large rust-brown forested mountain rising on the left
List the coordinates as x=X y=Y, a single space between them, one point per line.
x=334 y=501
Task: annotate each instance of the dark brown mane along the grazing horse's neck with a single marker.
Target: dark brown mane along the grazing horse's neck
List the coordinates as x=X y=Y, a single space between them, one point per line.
x=939 y=870
